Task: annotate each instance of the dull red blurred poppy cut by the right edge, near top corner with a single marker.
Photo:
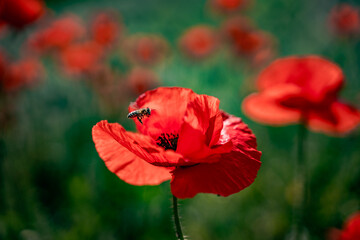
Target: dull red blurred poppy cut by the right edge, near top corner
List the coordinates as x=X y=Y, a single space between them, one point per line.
x=345 y=20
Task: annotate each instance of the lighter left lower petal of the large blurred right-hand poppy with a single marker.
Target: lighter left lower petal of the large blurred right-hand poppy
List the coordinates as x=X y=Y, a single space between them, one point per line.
x=265 y=107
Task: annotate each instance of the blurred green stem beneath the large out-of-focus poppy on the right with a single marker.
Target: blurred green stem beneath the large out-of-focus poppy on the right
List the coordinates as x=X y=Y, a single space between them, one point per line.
x=300 y=193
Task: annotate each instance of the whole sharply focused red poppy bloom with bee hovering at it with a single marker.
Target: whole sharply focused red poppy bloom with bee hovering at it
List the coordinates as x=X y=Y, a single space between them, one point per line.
x=186 y=139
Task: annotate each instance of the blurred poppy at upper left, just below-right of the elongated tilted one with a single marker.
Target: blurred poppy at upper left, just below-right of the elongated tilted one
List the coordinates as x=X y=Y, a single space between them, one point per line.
x=81 y=58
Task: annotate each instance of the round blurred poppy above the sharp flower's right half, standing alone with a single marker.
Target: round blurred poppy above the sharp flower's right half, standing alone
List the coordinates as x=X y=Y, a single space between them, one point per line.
x=199 y=41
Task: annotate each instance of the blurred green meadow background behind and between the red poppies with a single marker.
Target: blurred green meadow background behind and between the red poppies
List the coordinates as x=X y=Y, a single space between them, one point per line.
x=53 y=185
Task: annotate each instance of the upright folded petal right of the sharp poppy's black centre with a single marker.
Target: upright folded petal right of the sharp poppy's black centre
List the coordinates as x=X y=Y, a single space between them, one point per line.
x=201 y=129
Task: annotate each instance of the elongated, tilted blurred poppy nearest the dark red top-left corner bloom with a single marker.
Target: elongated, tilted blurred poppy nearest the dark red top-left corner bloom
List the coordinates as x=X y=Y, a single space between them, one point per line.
x=58 y=35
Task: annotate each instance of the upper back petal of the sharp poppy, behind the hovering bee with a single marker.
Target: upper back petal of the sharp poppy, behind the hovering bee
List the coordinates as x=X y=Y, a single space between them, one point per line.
x=168 y=106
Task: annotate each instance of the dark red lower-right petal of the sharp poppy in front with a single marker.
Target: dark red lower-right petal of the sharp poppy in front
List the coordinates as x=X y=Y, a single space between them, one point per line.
x=235 y=170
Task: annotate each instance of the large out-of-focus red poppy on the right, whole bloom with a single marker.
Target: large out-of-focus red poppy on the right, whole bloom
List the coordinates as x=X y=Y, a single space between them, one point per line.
x=302 y=89
